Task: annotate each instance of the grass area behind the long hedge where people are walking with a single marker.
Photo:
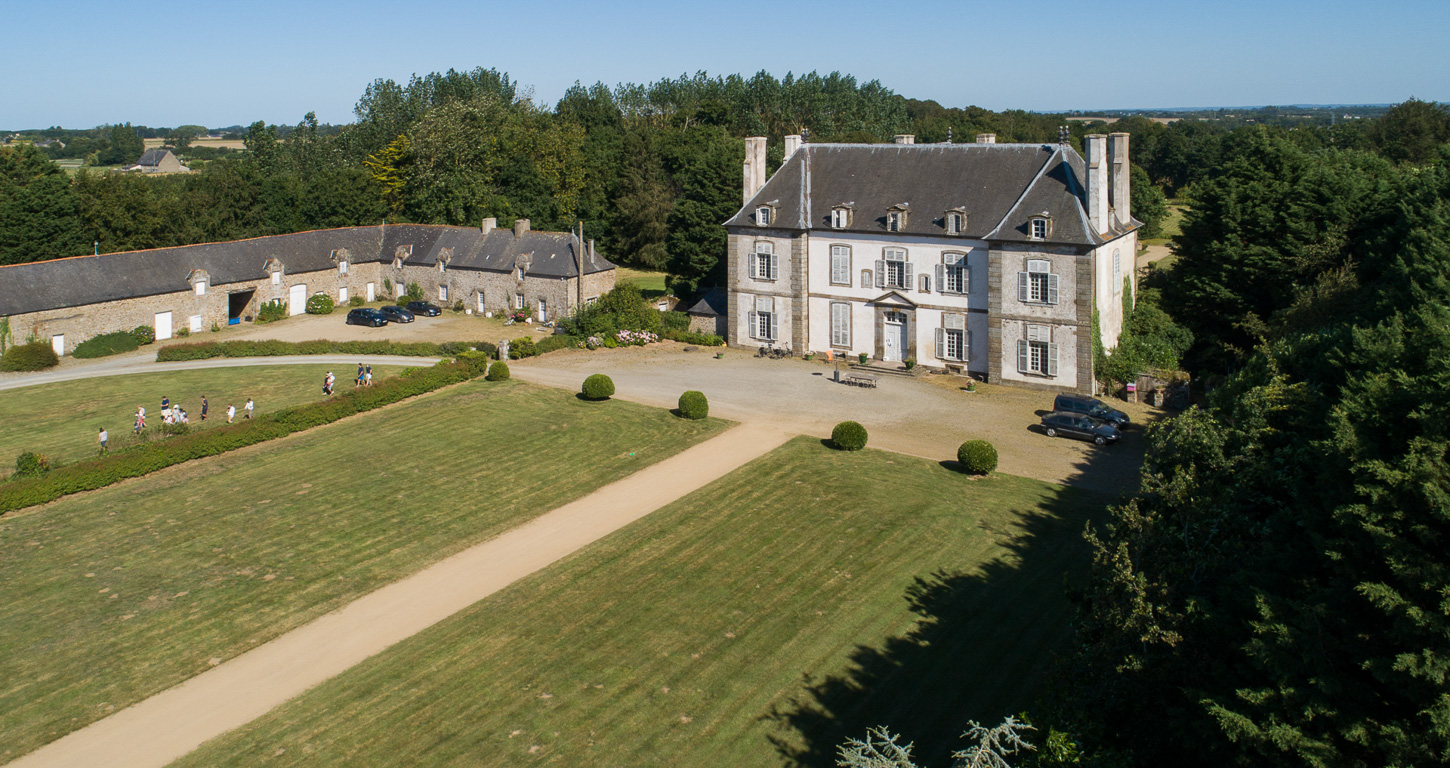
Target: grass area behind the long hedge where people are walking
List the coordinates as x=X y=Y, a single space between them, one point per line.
x=62 y=420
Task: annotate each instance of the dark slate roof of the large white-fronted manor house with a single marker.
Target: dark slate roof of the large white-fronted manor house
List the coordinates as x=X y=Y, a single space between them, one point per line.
x=1000 y=186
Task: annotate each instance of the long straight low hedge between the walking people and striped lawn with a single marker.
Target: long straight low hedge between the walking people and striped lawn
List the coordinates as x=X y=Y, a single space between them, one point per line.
x=147 y=459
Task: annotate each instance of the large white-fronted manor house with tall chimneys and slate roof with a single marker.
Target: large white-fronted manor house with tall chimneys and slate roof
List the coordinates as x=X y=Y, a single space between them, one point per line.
x=982 y=259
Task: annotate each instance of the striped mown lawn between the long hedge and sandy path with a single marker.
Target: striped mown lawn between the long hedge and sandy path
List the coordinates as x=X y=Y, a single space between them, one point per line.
x=121 y=593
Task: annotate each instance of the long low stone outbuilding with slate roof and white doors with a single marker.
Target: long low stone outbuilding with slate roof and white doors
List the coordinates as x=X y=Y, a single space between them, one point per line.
x=486 y=269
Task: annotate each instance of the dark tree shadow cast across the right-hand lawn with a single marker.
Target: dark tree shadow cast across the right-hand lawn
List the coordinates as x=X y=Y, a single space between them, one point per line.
x=979 y=650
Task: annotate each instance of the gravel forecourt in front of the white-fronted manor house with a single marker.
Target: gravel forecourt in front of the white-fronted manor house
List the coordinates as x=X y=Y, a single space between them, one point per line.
x=926 y=418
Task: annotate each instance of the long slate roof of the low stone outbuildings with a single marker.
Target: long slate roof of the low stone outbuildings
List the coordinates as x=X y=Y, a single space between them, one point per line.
x=131 y=275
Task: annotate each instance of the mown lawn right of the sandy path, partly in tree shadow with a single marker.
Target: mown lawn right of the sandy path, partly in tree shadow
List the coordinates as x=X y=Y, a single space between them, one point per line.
x=758 y=622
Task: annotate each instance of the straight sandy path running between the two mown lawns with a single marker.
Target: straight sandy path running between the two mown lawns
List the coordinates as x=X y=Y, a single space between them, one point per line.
x=172 y=724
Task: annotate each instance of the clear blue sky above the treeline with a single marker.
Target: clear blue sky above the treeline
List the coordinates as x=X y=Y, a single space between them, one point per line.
x=225 y=64
